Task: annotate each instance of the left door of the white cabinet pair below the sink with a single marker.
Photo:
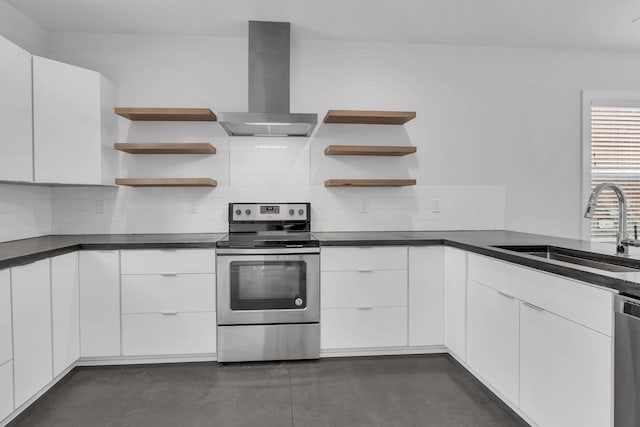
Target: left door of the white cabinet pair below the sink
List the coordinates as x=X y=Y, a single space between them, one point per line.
x=492 y=338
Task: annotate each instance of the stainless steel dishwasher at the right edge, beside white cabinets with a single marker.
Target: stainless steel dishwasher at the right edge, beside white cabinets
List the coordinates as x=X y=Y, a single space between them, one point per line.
x=627 y=362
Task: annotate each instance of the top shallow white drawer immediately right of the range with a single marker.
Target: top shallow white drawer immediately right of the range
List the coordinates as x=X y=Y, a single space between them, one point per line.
x=364 y=258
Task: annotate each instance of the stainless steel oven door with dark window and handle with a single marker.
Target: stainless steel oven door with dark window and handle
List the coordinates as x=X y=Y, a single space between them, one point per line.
x=267 y=287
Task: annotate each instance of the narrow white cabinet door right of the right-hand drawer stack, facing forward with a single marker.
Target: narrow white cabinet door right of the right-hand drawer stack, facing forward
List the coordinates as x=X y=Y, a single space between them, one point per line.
x=426 y=287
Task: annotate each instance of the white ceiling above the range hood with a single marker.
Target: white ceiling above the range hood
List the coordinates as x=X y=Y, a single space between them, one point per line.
x=582 y=24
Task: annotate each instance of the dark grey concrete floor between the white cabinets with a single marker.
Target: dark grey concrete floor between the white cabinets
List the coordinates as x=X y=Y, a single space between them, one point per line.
x=382 y=391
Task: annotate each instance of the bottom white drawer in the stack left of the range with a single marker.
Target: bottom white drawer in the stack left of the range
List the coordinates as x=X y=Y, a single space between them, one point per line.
x=157 y=334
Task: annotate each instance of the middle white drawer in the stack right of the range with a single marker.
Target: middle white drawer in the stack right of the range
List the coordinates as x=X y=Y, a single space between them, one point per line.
x=385 y=288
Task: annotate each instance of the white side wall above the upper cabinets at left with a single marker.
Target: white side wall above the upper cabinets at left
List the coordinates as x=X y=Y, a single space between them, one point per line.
x=21 y=30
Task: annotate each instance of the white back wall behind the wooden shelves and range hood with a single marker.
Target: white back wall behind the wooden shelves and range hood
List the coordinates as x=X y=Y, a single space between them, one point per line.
x=489 y=120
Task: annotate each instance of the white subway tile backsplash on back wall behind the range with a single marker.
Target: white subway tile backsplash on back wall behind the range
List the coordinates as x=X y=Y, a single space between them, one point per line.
x=277 y=170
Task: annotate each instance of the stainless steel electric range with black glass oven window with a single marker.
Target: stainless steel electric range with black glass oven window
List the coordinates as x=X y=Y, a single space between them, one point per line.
x=268 y=284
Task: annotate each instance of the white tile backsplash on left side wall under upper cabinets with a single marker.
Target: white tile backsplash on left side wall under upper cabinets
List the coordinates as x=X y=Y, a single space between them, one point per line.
x=25 y=211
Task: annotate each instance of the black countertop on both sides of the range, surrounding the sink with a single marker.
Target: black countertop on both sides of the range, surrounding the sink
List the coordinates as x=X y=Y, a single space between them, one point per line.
x=20 y=252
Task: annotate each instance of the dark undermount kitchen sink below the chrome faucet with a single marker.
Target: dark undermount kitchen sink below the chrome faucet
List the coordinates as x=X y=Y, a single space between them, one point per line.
x=586 y=259
